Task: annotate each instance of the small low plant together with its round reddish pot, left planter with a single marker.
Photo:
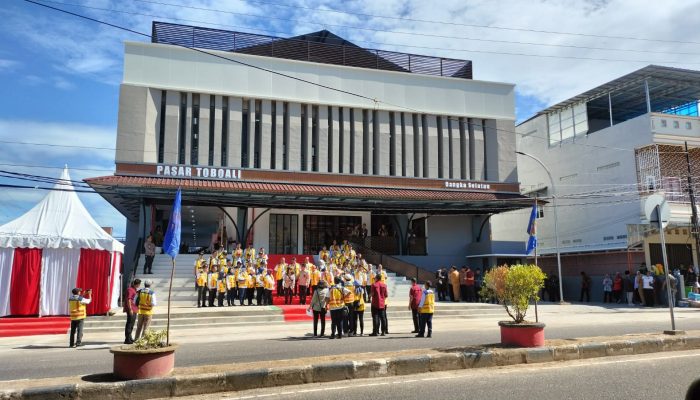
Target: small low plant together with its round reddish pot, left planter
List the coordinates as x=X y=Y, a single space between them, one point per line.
x=148 y=357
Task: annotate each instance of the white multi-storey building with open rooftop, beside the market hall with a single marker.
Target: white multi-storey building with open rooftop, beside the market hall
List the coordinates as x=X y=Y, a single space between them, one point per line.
x=608 y=149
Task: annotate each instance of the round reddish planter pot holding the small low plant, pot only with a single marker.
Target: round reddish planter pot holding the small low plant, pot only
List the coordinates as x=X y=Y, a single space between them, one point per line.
x=130 y=363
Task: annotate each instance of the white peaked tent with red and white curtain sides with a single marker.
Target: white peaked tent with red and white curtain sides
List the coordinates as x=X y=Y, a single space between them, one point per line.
x=52 y=248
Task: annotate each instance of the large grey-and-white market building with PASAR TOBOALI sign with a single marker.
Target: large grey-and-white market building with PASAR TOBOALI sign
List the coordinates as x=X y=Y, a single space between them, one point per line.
x=290 y=166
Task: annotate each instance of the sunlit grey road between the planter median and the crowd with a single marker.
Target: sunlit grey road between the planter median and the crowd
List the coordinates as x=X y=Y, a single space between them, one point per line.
x=47 y=356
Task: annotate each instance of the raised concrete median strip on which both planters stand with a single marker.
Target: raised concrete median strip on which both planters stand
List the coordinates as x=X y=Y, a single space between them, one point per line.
x=244 y=376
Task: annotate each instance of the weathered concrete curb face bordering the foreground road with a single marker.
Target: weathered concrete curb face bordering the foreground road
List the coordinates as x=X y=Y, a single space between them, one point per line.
x=345 y=370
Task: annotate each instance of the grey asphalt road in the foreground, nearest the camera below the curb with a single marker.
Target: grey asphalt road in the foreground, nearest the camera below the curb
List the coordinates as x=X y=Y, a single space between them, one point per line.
x=651 y=376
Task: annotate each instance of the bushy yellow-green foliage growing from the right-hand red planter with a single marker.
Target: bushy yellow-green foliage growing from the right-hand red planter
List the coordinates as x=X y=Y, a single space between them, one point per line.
x=514 y=286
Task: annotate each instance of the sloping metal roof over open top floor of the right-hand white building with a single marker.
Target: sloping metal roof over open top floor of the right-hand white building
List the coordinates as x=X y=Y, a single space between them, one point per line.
x=668 y=87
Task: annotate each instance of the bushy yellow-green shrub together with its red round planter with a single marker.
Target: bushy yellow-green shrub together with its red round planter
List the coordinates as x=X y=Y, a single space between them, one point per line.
x=515 y=286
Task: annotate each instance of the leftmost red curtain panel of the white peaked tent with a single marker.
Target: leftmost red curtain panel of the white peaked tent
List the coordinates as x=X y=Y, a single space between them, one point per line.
x=25 y=282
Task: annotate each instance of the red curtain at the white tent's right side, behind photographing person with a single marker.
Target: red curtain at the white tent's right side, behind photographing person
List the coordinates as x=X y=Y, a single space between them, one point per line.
x=93 y=273
